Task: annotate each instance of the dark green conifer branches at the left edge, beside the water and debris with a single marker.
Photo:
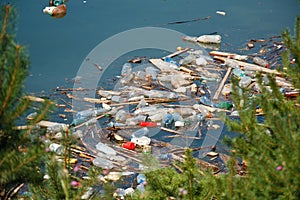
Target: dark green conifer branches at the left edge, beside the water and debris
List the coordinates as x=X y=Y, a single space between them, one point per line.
x=21 y=150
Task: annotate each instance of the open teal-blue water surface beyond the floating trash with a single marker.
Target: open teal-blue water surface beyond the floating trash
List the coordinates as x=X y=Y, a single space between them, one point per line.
x=57 y=47
